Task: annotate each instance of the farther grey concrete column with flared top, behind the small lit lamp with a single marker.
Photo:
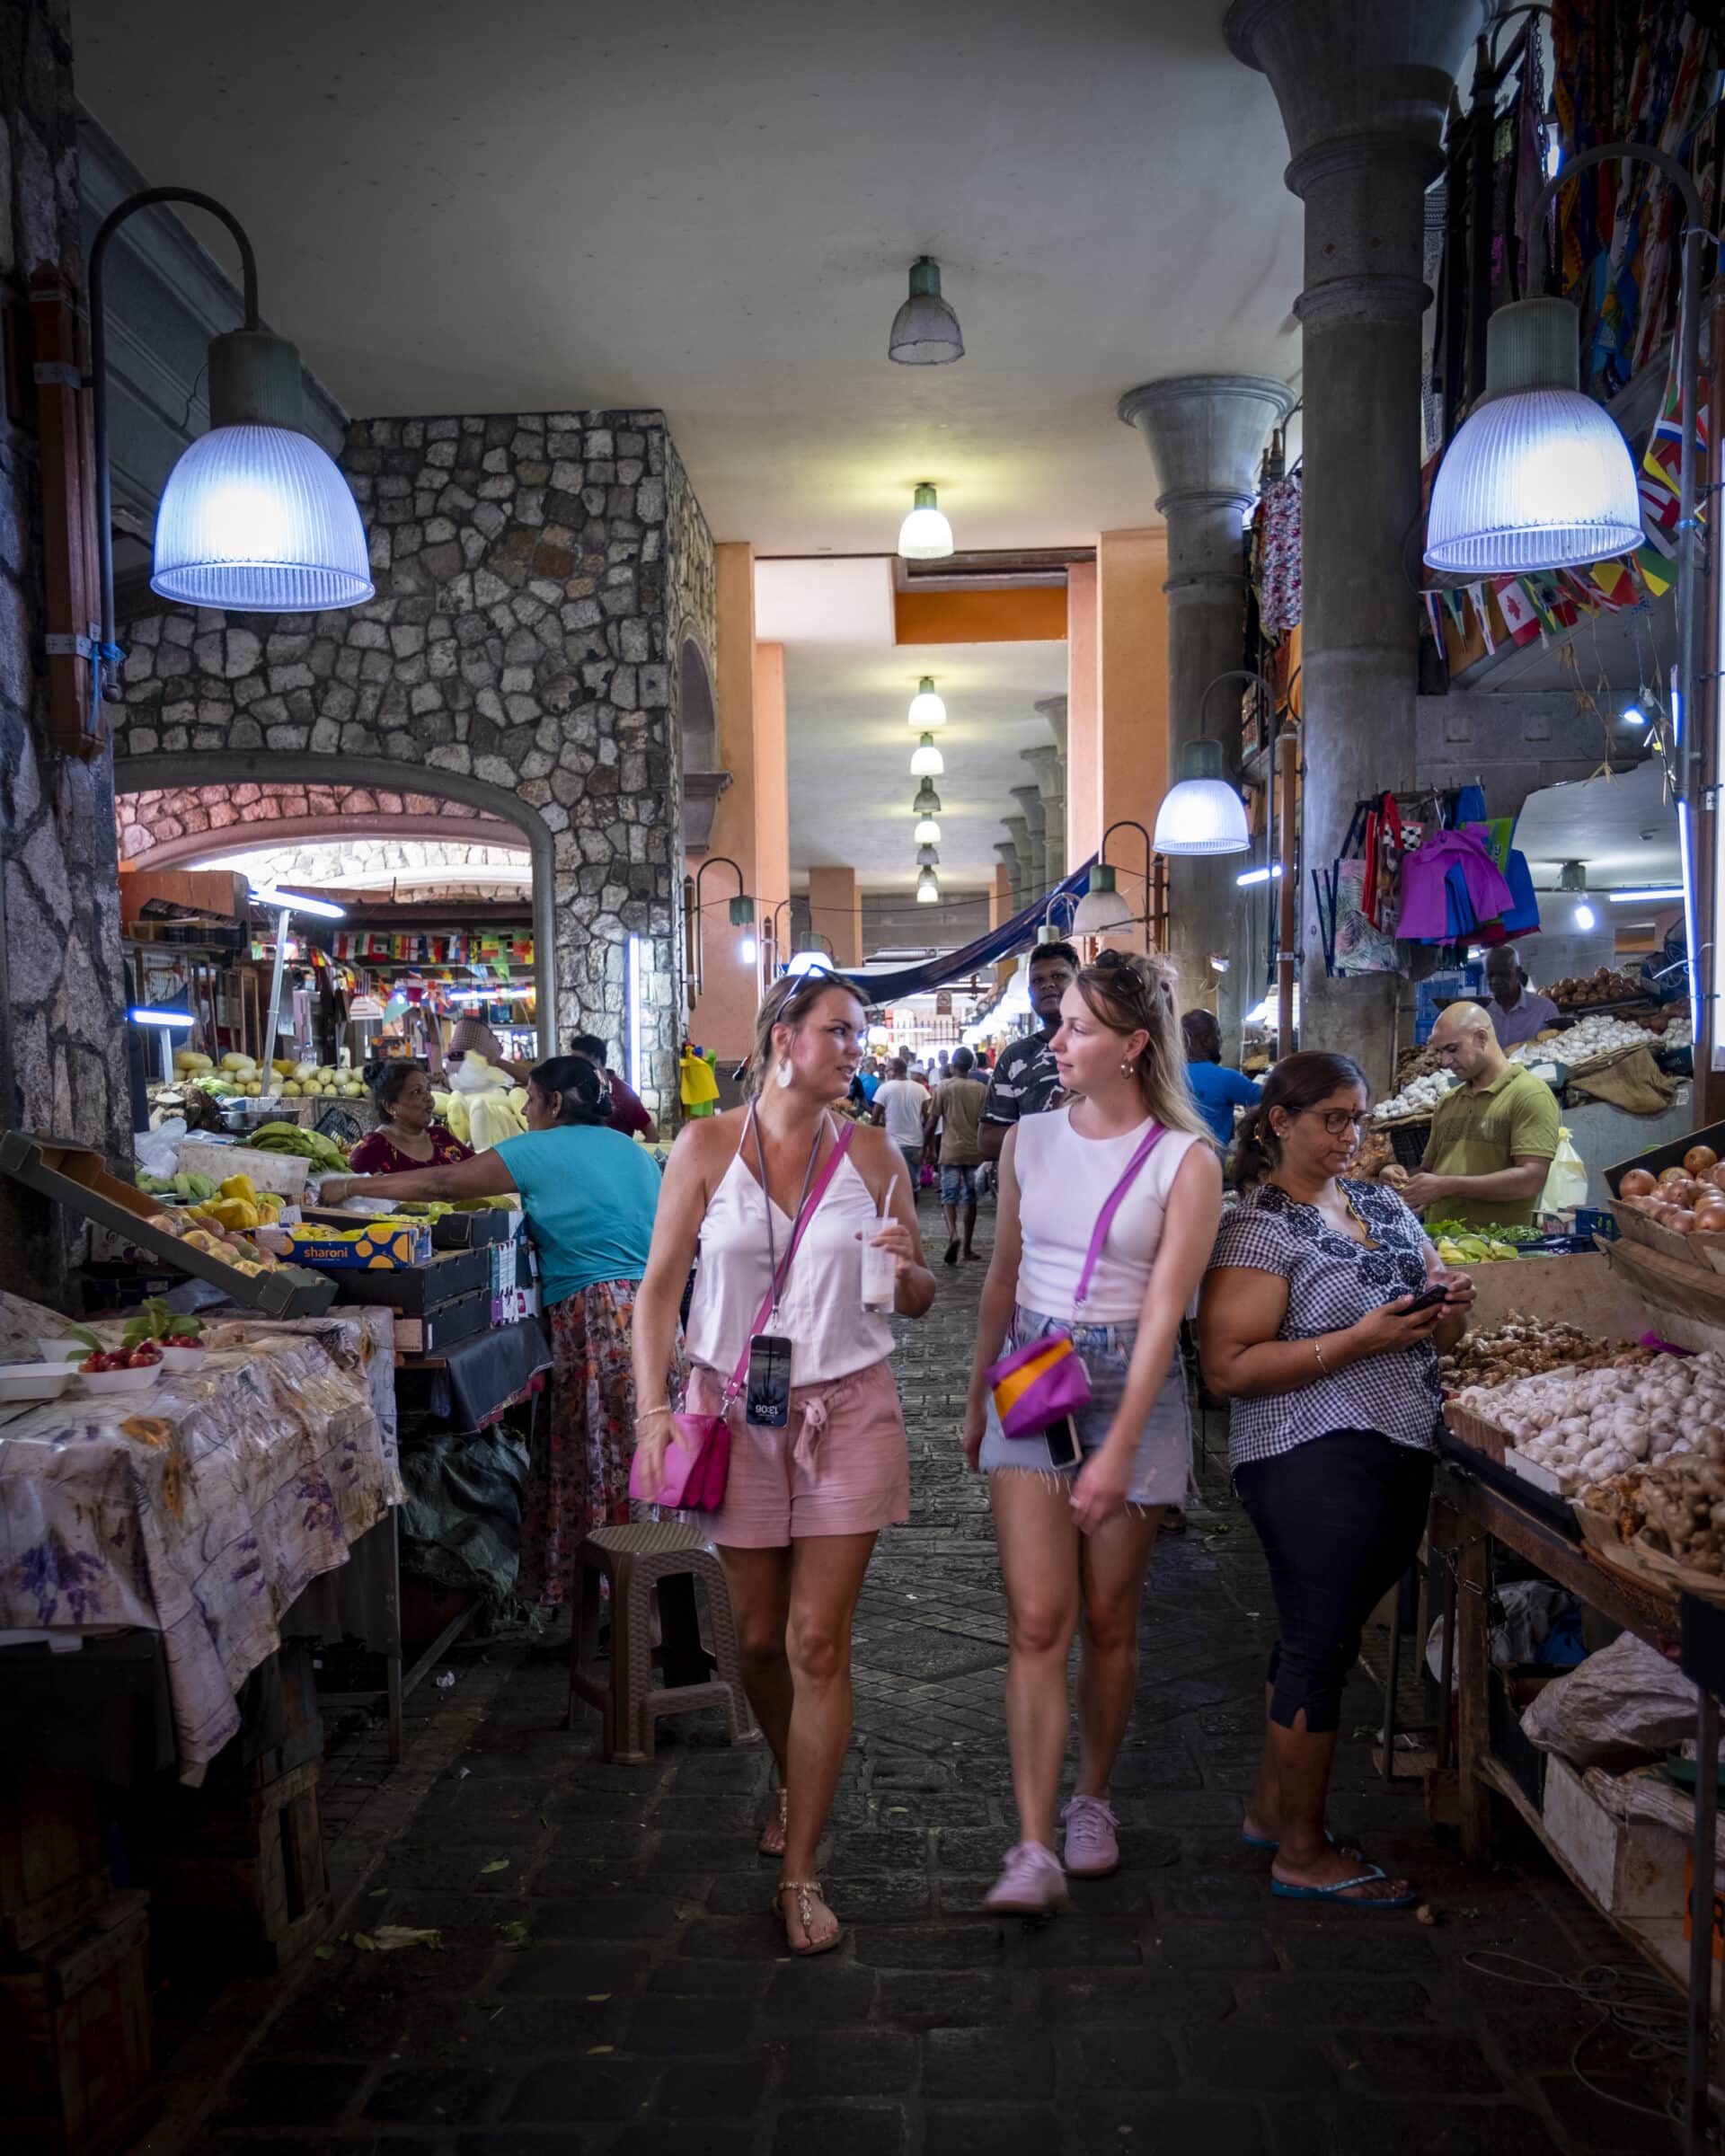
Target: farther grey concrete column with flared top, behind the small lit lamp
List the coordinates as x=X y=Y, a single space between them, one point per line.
x=1204 y=437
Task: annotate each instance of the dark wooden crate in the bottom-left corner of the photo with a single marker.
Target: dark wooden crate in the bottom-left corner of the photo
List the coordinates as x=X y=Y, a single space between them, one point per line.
x=77 y=2036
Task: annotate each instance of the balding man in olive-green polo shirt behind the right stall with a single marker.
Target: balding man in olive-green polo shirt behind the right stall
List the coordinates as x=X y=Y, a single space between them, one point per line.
x=1493 y=1139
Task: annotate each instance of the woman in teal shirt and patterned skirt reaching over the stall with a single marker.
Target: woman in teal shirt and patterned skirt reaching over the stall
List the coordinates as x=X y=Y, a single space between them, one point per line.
x=590 y=1200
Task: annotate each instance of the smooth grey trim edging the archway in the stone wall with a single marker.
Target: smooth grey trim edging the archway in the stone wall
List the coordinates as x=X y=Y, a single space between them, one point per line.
x=256 y=766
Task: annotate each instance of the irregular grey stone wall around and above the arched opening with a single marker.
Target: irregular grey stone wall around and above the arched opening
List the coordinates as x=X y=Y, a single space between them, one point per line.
x=527 y=568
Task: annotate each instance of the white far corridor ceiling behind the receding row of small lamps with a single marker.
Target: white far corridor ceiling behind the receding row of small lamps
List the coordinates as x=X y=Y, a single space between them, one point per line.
x=851 y=754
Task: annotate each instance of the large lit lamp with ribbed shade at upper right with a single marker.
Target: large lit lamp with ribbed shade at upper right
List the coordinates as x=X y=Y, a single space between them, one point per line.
x=1538 y=478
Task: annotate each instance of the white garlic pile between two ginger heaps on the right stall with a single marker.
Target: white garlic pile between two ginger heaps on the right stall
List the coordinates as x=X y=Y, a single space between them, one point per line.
x=1590 y=1424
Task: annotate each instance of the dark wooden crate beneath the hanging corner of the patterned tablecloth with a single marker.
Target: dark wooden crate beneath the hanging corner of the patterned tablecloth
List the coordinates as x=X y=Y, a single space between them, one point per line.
x=247 y=1868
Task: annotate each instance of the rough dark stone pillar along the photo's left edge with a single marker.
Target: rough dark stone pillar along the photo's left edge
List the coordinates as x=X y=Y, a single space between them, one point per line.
x=61 y=982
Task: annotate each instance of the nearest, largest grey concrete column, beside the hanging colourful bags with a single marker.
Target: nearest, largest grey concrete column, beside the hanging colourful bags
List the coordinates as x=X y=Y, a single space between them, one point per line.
x=1364 y=89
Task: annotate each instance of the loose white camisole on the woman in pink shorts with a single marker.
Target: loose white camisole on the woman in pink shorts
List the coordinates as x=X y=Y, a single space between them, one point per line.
x=823 y=1312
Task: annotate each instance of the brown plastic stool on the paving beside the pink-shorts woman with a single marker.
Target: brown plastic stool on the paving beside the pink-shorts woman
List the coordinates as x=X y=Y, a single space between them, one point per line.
x=635 y=1562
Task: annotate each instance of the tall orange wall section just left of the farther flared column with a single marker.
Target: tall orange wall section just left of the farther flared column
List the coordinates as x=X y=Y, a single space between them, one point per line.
x=1133 y=691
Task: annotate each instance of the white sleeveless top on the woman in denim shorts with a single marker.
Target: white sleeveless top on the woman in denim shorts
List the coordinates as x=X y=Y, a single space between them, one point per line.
x=1064 y=1183
